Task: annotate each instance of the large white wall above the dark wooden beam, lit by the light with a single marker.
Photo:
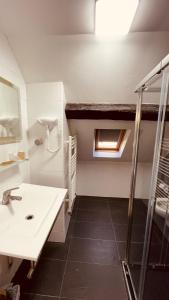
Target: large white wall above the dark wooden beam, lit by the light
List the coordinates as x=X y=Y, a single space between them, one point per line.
x=92 y=69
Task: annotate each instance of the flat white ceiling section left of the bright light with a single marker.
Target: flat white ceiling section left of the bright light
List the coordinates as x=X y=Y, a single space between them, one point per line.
x=47 y=16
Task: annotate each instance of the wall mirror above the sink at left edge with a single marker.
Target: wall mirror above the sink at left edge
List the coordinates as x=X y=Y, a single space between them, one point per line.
x=10 y=115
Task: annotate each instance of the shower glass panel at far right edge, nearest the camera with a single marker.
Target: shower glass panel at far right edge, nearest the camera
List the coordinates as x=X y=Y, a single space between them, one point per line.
x=156 y=284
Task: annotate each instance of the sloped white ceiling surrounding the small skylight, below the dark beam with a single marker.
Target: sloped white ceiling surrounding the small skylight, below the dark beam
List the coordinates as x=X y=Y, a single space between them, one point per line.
x=84 y=130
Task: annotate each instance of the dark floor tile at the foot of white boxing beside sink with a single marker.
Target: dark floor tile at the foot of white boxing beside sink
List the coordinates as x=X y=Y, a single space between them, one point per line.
x=55 y=250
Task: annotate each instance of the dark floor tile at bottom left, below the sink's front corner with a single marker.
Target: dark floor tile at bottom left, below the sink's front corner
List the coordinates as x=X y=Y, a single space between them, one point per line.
x=47 y=278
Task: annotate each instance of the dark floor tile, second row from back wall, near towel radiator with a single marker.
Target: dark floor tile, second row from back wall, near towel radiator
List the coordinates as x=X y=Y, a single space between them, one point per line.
x=101 y=216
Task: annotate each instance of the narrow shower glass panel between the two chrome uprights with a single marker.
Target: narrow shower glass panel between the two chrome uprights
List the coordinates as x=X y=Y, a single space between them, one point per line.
x=147 y=136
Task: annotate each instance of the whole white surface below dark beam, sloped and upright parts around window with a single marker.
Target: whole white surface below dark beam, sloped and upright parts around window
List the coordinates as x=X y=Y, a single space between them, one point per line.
x=111 y=177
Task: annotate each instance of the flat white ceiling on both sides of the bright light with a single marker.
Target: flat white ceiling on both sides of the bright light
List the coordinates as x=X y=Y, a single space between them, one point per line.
x=73 y=16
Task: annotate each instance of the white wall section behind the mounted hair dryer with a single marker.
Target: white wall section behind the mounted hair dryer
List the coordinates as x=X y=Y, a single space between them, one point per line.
x=47 y=100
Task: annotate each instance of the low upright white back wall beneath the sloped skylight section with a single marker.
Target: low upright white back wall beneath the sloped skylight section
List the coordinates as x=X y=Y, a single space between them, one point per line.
x=110 y=179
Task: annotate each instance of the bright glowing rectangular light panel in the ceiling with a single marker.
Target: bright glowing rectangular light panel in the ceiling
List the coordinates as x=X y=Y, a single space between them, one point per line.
x=114 y=17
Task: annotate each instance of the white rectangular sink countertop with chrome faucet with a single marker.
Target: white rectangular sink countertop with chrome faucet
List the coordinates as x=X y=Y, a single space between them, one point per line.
x=28 y=246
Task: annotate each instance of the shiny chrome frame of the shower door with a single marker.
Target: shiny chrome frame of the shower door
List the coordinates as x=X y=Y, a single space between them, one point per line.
x=144 y=85
